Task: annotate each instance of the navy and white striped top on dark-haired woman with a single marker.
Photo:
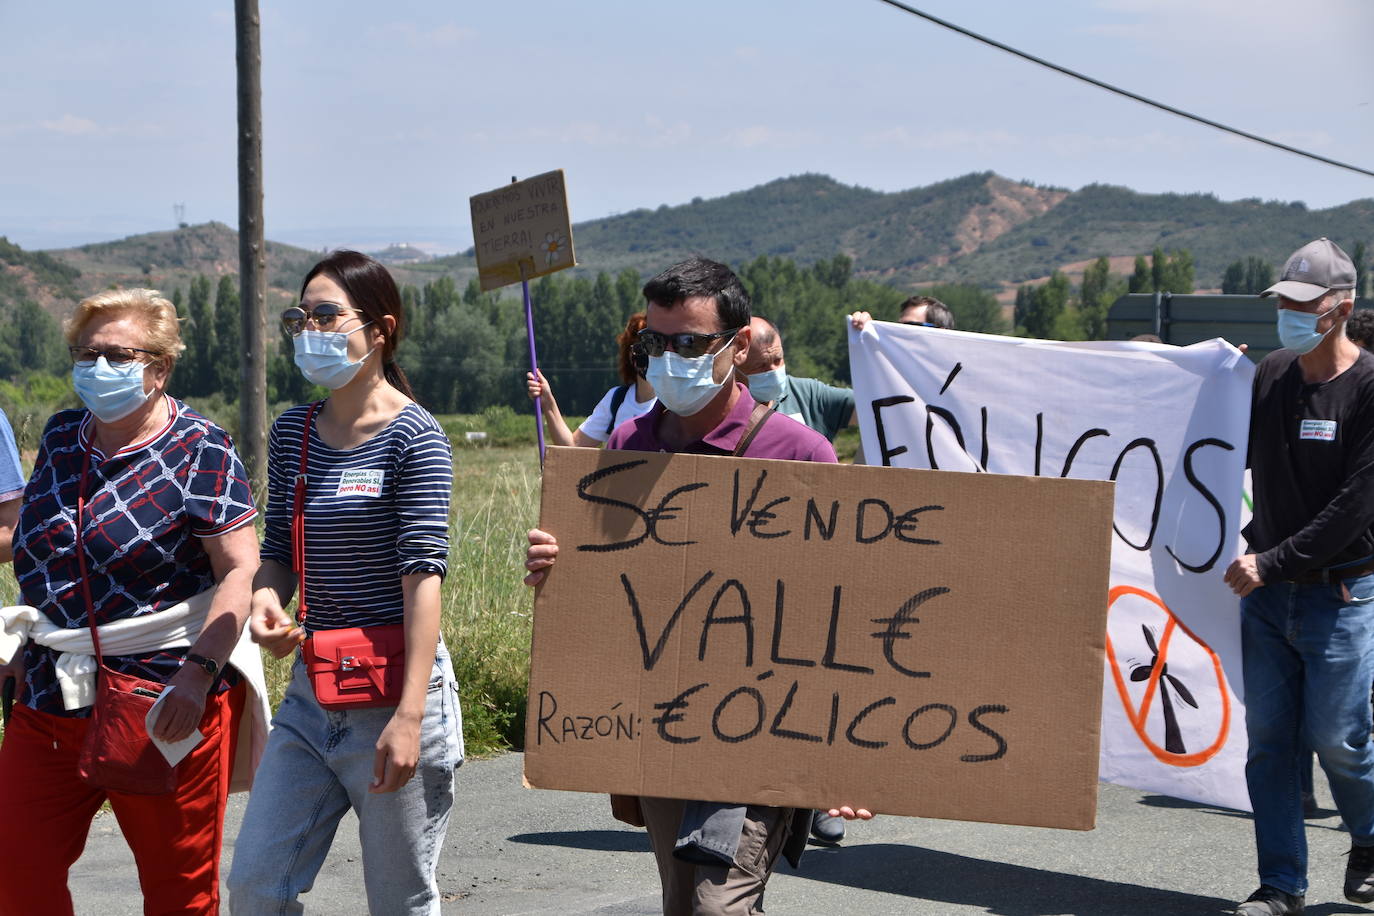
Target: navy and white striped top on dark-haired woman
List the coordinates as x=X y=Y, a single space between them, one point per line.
x=373 y=514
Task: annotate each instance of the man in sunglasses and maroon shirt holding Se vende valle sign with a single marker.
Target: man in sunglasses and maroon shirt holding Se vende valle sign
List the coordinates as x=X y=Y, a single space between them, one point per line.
x=712 y=858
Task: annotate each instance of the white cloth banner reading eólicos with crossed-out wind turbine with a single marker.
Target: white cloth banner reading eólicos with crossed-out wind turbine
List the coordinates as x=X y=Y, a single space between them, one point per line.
x=1170 y=426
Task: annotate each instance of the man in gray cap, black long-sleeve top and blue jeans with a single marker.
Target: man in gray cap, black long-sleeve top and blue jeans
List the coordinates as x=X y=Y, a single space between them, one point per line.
x=1307 y=590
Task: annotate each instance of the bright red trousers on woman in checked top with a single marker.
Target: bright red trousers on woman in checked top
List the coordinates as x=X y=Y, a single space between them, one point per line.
x=46 y=814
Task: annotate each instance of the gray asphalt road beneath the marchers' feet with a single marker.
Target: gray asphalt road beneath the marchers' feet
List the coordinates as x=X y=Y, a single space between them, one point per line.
x=516 y=851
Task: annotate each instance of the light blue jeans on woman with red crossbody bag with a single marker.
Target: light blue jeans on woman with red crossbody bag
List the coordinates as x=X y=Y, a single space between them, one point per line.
x=319 y=764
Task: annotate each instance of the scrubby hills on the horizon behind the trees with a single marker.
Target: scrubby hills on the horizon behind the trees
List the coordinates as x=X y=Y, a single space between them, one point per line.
x=979 y=229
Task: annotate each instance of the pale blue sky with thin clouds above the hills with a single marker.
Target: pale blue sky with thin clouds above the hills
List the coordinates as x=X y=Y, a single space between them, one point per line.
x=383 y=119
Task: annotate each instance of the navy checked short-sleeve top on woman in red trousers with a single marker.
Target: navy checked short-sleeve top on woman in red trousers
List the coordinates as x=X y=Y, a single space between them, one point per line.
x=148 y=509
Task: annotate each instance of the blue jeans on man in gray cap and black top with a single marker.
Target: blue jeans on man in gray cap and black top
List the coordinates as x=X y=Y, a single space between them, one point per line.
x=1309 y=665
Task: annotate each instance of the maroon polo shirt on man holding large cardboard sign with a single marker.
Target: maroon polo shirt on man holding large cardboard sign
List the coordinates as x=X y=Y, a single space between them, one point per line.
x=781 y=437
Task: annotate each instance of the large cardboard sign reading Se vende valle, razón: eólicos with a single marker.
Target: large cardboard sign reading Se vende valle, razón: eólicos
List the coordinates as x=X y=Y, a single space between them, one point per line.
x=811 y=635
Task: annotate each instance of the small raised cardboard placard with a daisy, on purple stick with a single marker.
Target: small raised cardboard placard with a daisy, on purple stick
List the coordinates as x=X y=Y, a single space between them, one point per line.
x=524 y=223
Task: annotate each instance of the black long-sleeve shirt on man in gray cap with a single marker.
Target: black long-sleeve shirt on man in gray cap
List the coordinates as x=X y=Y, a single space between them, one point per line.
x=1313 y=468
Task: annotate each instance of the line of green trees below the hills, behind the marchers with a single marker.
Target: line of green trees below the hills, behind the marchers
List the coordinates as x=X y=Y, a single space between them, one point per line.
x=466 y=351
